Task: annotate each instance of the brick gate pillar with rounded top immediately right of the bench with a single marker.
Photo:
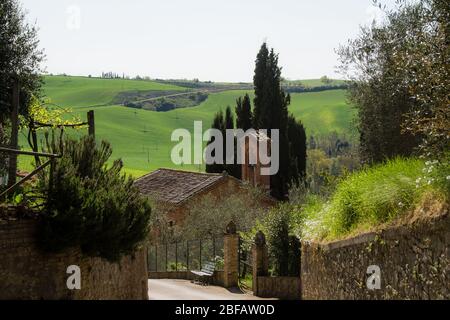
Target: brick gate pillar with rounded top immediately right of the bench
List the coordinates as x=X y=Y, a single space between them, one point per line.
x=231 y=256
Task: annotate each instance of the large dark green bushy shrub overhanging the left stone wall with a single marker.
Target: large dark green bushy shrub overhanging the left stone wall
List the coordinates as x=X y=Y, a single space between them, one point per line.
x=93 y=205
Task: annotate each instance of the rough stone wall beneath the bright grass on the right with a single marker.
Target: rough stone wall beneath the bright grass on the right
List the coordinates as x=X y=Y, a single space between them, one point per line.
x=414 y=263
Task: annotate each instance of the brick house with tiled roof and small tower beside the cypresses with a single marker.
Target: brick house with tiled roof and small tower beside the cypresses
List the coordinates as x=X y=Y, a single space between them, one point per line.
x=176 y=191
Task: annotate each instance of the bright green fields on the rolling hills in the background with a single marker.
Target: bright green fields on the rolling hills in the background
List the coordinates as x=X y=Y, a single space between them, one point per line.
x=142 y=138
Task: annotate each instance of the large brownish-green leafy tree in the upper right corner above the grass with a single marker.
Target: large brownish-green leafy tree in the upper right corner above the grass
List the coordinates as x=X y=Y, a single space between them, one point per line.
x=400 y=80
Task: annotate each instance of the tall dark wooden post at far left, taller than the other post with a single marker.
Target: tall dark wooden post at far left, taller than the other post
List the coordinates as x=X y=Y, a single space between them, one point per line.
x=12 y=172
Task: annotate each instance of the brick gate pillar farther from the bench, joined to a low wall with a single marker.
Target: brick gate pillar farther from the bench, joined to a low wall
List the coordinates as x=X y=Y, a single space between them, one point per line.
x=260 y=260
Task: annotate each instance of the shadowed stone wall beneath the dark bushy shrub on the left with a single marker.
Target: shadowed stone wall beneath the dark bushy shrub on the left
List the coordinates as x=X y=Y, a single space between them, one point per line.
x=28 y=273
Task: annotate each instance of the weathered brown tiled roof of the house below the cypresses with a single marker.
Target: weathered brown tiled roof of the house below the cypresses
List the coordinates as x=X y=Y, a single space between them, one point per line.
x=175 y=186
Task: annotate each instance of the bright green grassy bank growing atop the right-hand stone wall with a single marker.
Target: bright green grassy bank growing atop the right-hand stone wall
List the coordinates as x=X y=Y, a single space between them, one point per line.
x=376 y=195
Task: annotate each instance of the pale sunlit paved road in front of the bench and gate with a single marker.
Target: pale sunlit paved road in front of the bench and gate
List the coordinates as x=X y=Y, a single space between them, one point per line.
x=168 y=289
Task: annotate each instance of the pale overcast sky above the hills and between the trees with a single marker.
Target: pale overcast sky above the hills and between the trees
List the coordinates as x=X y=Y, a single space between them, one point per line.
x=205 y=39
